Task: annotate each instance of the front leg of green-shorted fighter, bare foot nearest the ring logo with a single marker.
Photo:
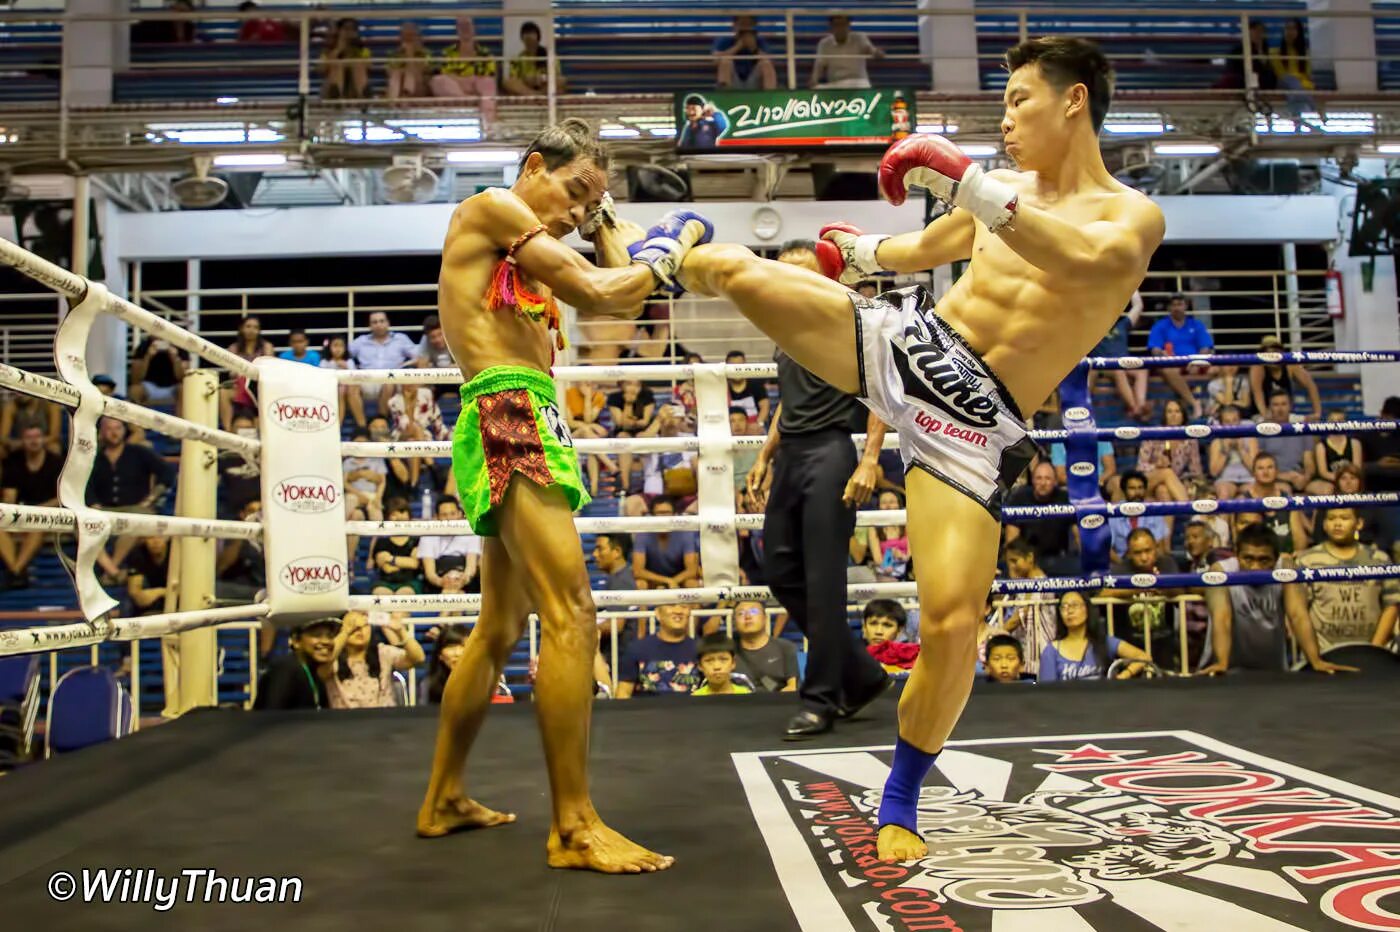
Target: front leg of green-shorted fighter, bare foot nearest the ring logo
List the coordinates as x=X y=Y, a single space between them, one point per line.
x=538 y=531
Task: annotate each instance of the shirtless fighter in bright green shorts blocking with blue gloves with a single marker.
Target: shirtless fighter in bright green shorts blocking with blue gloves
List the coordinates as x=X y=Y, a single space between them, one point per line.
x=517 y=475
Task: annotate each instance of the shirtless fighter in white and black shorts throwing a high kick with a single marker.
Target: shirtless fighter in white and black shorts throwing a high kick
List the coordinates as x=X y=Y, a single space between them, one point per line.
x=1056 y=251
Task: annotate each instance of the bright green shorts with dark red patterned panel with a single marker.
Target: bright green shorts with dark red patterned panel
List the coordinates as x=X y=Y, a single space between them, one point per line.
x=512 y=423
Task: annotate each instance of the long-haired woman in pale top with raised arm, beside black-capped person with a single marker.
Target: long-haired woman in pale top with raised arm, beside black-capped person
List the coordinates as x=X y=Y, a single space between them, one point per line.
x=363 y=665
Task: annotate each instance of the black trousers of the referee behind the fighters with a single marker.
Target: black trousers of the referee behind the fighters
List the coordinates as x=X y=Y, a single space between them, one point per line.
x=807 y=534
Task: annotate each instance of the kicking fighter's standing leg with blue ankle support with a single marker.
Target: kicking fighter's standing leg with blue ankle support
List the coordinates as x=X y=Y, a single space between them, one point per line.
x=953 y=545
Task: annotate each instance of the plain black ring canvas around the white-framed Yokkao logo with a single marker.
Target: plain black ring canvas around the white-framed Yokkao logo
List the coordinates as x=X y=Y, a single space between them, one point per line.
x=331 y=798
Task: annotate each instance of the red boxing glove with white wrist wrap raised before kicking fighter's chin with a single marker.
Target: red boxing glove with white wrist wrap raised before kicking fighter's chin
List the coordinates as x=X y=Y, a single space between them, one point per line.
x=937 y=164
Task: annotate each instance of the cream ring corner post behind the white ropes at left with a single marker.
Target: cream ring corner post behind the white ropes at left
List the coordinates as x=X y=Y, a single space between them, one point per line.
x=198 y=482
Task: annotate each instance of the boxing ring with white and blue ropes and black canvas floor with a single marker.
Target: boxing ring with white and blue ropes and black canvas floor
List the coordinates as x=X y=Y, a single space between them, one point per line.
x=1248 y=803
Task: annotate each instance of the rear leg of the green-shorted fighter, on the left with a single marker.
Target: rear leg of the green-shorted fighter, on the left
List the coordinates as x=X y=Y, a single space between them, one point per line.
x=468 y=695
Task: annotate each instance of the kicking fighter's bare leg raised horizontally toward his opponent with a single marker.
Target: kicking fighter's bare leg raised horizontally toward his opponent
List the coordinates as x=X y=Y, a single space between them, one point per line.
x=806 y=314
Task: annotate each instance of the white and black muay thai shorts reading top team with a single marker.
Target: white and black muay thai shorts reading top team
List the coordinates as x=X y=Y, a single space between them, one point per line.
x=954 y=416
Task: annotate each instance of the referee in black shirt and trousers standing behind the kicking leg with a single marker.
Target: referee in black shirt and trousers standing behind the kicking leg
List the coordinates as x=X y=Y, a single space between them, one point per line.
x=808 y=525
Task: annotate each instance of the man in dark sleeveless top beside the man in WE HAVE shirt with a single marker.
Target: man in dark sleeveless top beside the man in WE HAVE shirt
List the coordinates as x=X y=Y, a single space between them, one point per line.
x=1248 y=623
